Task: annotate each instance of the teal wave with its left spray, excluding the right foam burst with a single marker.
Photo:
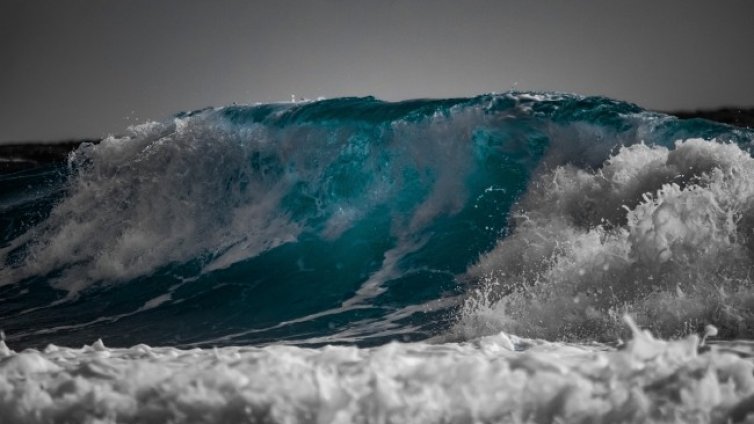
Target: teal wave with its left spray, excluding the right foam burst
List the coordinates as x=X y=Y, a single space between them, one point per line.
x=345 y=220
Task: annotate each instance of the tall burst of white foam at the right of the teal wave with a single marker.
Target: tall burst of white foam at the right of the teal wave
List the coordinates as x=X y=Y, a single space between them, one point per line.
x=663 y=234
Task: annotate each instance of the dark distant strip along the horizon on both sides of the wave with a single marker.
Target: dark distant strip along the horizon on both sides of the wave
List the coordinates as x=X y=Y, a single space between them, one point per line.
x=19 y=156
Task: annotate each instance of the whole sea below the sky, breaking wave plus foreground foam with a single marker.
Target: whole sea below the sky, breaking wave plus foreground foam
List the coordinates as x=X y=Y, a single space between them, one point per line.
x=516 y=257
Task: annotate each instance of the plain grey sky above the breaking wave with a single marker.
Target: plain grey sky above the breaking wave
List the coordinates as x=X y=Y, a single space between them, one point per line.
x=88 y=68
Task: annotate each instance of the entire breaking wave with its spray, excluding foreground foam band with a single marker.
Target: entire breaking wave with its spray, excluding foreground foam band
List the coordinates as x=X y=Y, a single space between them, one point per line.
x=356 y=220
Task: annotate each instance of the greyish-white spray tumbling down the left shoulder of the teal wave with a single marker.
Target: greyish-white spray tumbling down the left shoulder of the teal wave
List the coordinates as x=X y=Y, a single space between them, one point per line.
x=166 y=192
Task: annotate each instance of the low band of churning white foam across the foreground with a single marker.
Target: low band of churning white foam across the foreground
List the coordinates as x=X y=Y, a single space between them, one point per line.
x=499 y=378
